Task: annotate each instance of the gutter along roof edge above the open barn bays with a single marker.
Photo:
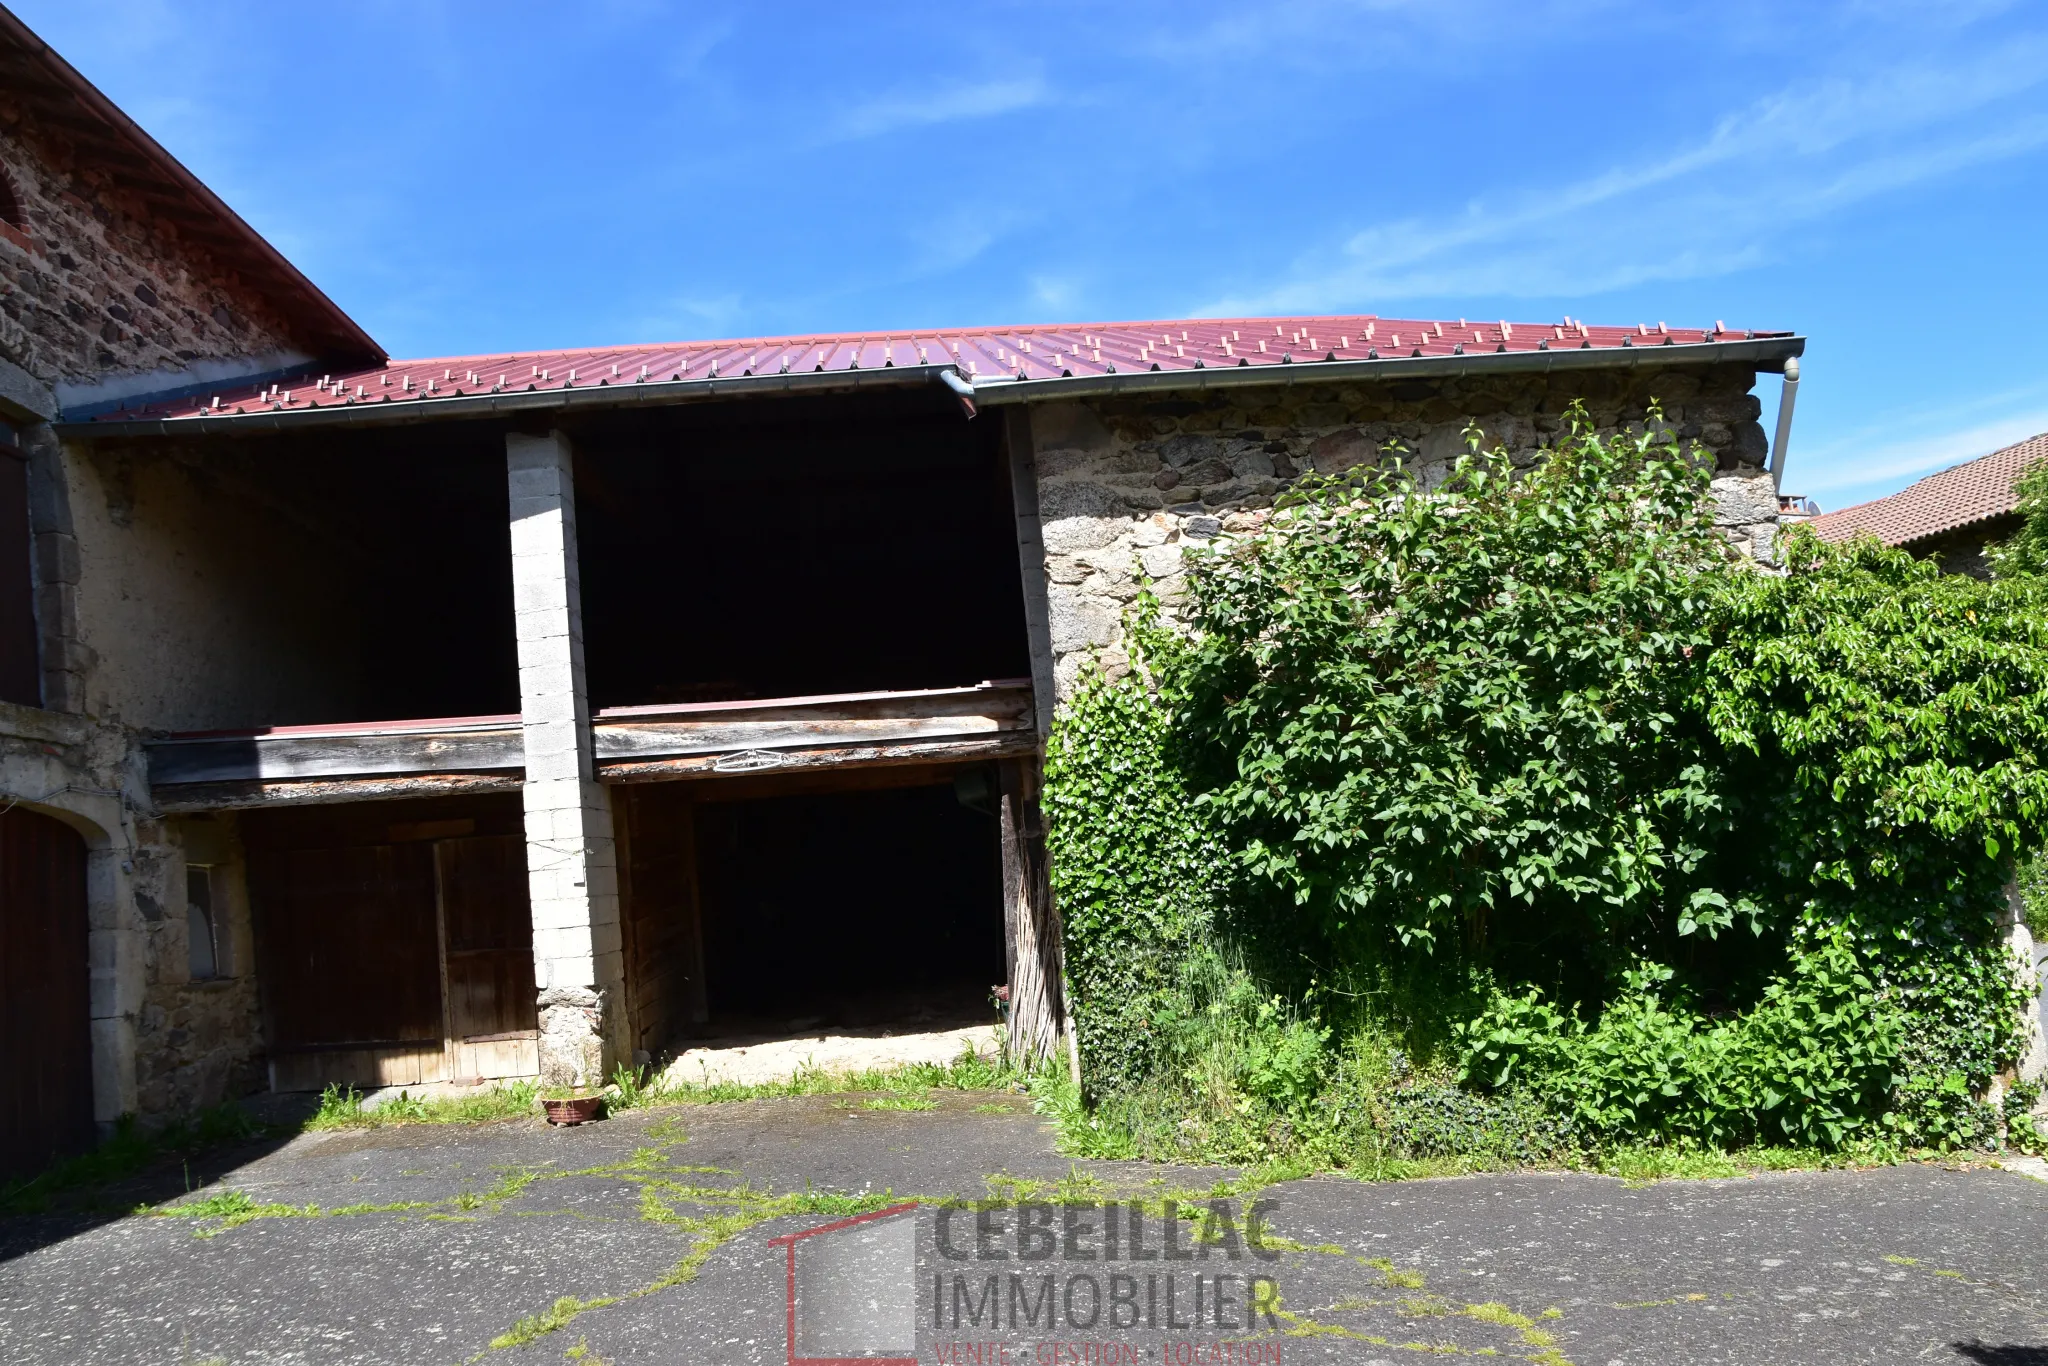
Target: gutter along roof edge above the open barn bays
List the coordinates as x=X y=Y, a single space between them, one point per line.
x=632 y=394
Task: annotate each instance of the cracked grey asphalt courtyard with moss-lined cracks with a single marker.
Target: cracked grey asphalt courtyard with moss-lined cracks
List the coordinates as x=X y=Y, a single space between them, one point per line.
x=433 y=1242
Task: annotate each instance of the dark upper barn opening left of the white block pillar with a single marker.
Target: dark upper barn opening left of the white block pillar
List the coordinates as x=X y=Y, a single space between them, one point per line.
x=316 y=579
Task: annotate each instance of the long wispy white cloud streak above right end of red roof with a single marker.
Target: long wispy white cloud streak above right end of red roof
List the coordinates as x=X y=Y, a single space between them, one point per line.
x=1717 y=206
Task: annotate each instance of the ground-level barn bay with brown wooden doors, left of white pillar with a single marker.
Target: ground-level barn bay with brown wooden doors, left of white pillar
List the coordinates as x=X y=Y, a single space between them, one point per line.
x=394 y=941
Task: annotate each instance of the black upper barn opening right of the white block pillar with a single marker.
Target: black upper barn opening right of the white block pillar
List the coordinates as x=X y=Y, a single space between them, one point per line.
x=794 y=548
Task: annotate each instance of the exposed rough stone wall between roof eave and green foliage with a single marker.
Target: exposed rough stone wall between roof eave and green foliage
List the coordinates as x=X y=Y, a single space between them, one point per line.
x=1136 y=480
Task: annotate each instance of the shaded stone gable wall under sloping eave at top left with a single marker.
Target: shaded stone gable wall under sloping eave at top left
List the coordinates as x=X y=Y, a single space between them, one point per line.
x=91 y=286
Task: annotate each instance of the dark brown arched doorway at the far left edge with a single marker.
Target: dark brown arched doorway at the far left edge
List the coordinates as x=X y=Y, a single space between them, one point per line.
x=46 y=1033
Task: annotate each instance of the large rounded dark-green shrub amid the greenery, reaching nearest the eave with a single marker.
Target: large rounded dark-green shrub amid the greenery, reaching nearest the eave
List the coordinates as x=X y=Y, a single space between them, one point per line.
x=1447 y=716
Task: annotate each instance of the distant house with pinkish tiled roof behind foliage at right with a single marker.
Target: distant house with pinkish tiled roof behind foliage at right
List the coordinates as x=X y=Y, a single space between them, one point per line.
x=1951 y=517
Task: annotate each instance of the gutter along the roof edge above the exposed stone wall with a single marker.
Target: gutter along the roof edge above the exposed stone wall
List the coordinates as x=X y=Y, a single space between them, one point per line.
x=1764 y=353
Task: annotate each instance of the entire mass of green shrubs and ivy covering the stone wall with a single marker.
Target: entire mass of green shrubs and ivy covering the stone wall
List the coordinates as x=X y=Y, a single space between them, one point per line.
x=1529 y=779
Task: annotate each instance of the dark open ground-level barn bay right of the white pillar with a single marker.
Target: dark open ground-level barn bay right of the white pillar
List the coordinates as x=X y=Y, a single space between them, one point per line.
x=777 y=906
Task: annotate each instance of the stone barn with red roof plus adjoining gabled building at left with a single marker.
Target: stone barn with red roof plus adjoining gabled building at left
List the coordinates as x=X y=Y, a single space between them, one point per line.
x=499 y=716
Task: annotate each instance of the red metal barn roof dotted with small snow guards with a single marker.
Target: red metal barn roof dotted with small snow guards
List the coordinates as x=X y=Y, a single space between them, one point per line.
x=982 y=355
